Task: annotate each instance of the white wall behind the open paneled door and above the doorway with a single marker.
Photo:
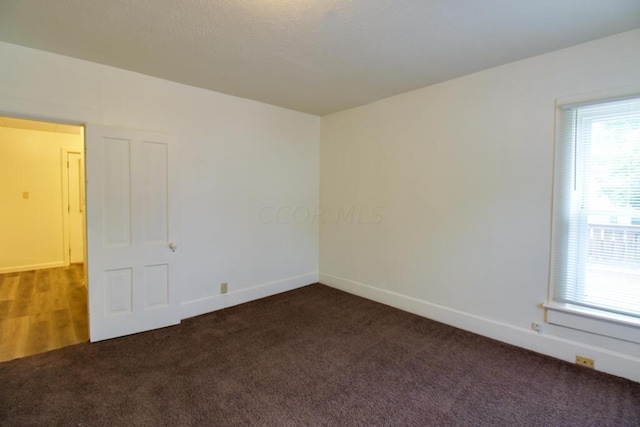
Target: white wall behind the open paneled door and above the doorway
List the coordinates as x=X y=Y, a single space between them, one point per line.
x=235 y=157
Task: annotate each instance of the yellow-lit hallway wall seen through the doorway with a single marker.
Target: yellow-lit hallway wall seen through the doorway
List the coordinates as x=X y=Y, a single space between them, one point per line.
x=32 y=228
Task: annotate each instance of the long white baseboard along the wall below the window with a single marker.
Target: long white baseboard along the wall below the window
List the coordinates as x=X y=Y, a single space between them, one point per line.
x=608 y=361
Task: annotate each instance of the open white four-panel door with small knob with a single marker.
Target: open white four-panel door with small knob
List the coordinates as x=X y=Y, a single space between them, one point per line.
x=131 y=221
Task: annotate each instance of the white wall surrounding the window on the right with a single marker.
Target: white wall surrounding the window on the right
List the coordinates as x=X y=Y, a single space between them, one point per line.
x=455 y=182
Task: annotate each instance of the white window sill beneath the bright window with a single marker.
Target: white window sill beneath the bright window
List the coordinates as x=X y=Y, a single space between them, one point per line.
x=594 y=321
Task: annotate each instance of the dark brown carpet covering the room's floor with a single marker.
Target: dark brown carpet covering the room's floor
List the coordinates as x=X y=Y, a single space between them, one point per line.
x=313 y=356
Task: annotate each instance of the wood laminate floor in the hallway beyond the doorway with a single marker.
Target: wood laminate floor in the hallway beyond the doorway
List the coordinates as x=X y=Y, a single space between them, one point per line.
x=42 y=310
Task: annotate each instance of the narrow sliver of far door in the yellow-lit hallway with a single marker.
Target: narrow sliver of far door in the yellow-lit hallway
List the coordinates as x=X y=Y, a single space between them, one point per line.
x=75 y=181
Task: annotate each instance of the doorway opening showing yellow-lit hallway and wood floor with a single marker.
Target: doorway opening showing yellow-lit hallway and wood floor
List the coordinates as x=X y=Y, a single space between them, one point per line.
x=43 y=279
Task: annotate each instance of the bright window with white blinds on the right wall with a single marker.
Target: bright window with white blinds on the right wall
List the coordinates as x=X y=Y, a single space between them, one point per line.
x=596 y=232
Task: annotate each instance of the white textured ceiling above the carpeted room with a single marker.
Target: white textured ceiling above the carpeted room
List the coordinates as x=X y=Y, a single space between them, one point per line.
x=316 y=56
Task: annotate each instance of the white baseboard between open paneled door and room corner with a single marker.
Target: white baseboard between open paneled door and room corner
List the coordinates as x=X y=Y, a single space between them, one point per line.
x=218 y=302
